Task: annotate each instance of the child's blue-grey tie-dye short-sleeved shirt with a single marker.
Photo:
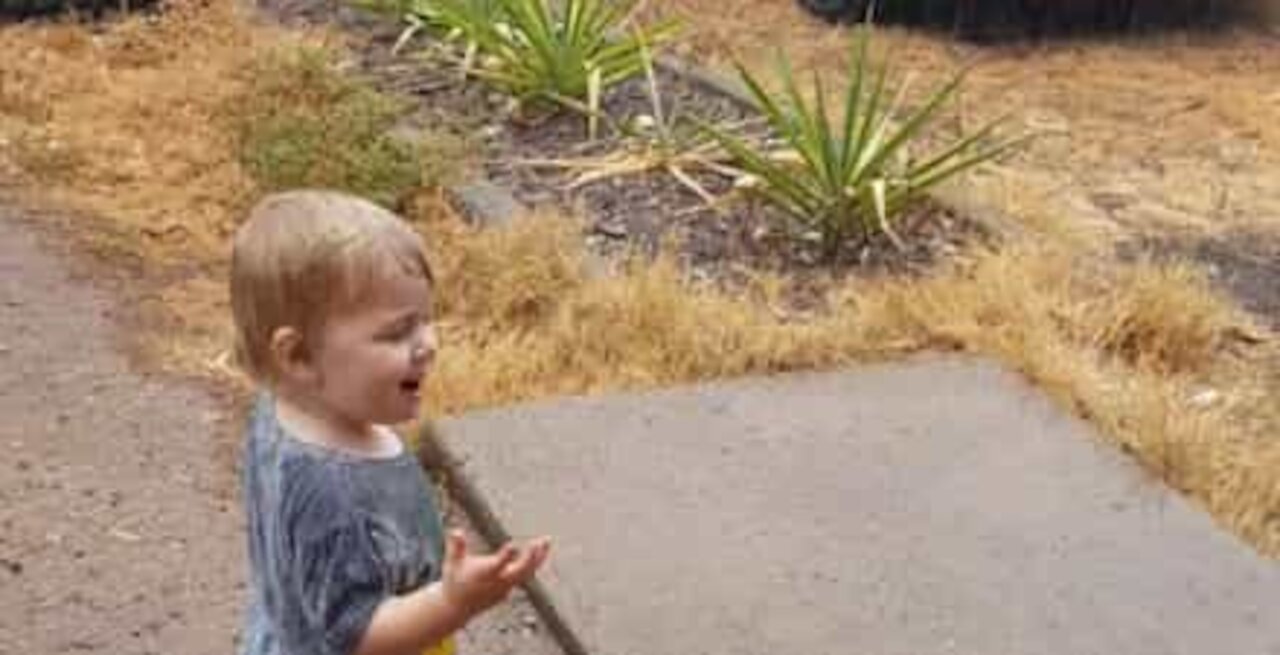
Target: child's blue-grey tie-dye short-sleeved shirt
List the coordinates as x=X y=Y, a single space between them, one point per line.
x=331 y=535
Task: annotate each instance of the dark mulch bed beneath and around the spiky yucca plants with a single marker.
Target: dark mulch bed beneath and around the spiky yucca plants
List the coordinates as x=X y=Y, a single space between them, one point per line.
x=644 y=210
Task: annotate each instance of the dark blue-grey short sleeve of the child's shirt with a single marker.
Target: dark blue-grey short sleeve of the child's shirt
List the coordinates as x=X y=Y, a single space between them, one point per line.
x=339 y=581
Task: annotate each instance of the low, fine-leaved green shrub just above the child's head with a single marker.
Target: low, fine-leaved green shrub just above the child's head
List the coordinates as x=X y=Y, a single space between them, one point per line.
x=308 y=126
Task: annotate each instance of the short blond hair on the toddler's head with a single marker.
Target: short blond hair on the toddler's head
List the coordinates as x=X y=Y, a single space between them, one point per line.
x=304 y=255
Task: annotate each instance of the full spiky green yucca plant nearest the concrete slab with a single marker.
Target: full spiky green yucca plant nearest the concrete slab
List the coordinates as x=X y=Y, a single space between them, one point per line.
x=851 y=178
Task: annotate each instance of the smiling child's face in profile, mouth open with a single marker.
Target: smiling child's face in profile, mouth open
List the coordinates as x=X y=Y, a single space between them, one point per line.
x=374 y=356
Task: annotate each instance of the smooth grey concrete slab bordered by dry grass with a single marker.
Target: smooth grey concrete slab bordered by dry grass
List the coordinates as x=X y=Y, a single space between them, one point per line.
x=940 y=507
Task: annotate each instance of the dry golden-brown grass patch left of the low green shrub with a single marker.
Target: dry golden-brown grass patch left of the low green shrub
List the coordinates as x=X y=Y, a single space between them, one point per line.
x=127 y=127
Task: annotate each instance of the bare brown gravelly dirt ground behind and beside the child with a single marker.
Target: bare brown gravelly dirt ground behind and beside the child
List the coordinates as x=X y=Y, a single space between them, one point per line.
x=121 y=528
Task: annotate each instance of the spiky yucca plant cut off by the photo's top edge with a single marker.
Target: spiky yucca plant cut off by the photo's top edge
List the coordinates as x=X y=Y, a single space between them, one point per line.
x=543 y=52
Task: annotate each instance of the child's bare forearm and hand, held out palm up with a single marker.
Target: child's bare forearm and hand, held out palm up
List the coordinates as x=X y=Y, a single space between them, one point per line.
x=469 y=585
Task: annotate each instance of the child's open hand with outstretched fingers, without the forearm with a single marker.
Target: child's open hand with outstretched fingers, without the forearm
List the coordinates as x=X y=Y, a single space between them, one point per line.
x=478 y=583
